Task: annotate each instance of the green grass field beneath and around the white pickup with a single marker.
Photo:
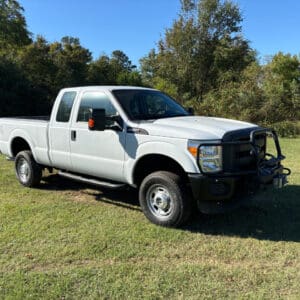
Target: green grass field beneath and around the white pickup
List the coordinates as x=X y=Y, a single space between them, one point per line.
x=70 y=241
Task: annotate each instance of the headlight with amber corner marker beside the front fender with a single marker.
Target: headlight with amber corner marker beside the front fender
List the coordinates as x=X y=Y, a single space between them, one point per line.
x=210 y=156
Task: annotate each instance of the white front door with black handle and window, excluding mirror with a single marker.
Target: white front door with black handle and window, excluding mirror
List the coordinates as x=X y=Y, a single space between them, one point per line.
x=96 y=153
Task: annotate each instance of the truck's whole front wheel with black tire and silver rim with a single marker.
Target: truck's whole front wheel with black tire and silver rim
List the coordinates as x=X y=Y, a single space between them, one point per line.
x=164 y=199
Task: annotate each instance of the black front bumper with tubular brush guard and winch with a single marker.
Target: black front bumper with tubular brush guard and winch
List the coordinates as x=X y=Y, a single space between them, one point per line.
x=216 y=193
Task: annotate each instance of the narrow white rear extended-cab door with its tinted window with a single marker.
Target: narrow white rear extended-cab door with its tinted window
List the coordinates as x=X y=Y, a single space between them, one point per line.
x=59 y=131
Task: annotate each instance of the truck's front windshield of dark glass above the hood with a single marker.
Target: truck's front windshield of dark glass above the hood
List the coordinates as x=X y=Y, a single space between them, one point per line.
x=148 y=104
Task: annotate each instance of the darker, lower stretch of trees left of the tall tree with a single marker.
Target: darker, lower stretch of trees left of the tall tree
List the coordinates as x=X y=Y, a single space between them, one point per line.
x=33 y=71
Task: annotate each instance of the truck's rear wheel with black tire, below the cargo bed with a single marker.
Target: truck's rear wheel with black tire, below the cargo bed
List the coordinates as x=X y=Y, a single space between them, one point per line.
x=28 y=172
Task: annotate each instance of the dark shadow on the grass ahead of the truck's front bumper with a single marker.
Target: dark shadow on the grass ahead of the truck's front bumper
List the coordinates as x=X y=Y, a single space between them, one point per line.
x=272 y=215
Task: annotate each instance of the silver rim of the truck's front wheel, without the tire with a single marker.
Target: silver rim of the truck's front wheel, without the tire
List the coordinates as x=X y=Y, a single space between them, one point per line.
x=159 y=201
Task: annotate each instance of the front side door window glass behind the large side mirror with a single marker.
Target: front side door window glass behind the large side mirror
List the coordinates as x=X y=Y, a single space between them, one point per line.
x=92 y=100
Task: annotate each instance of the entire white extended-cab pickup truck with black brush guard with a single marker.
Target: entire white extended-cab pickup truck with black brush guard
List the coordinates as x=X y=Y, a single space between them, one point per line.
x=117 y=136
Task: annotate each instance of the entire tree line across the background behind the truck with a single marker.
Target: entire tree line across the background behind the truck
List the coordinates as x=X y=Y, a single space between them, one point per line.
x=202 y=60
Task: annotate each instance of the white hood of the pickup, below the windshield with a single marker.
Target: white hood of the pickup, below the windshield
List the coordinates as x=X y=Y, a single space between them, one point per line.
x=193 y=127
